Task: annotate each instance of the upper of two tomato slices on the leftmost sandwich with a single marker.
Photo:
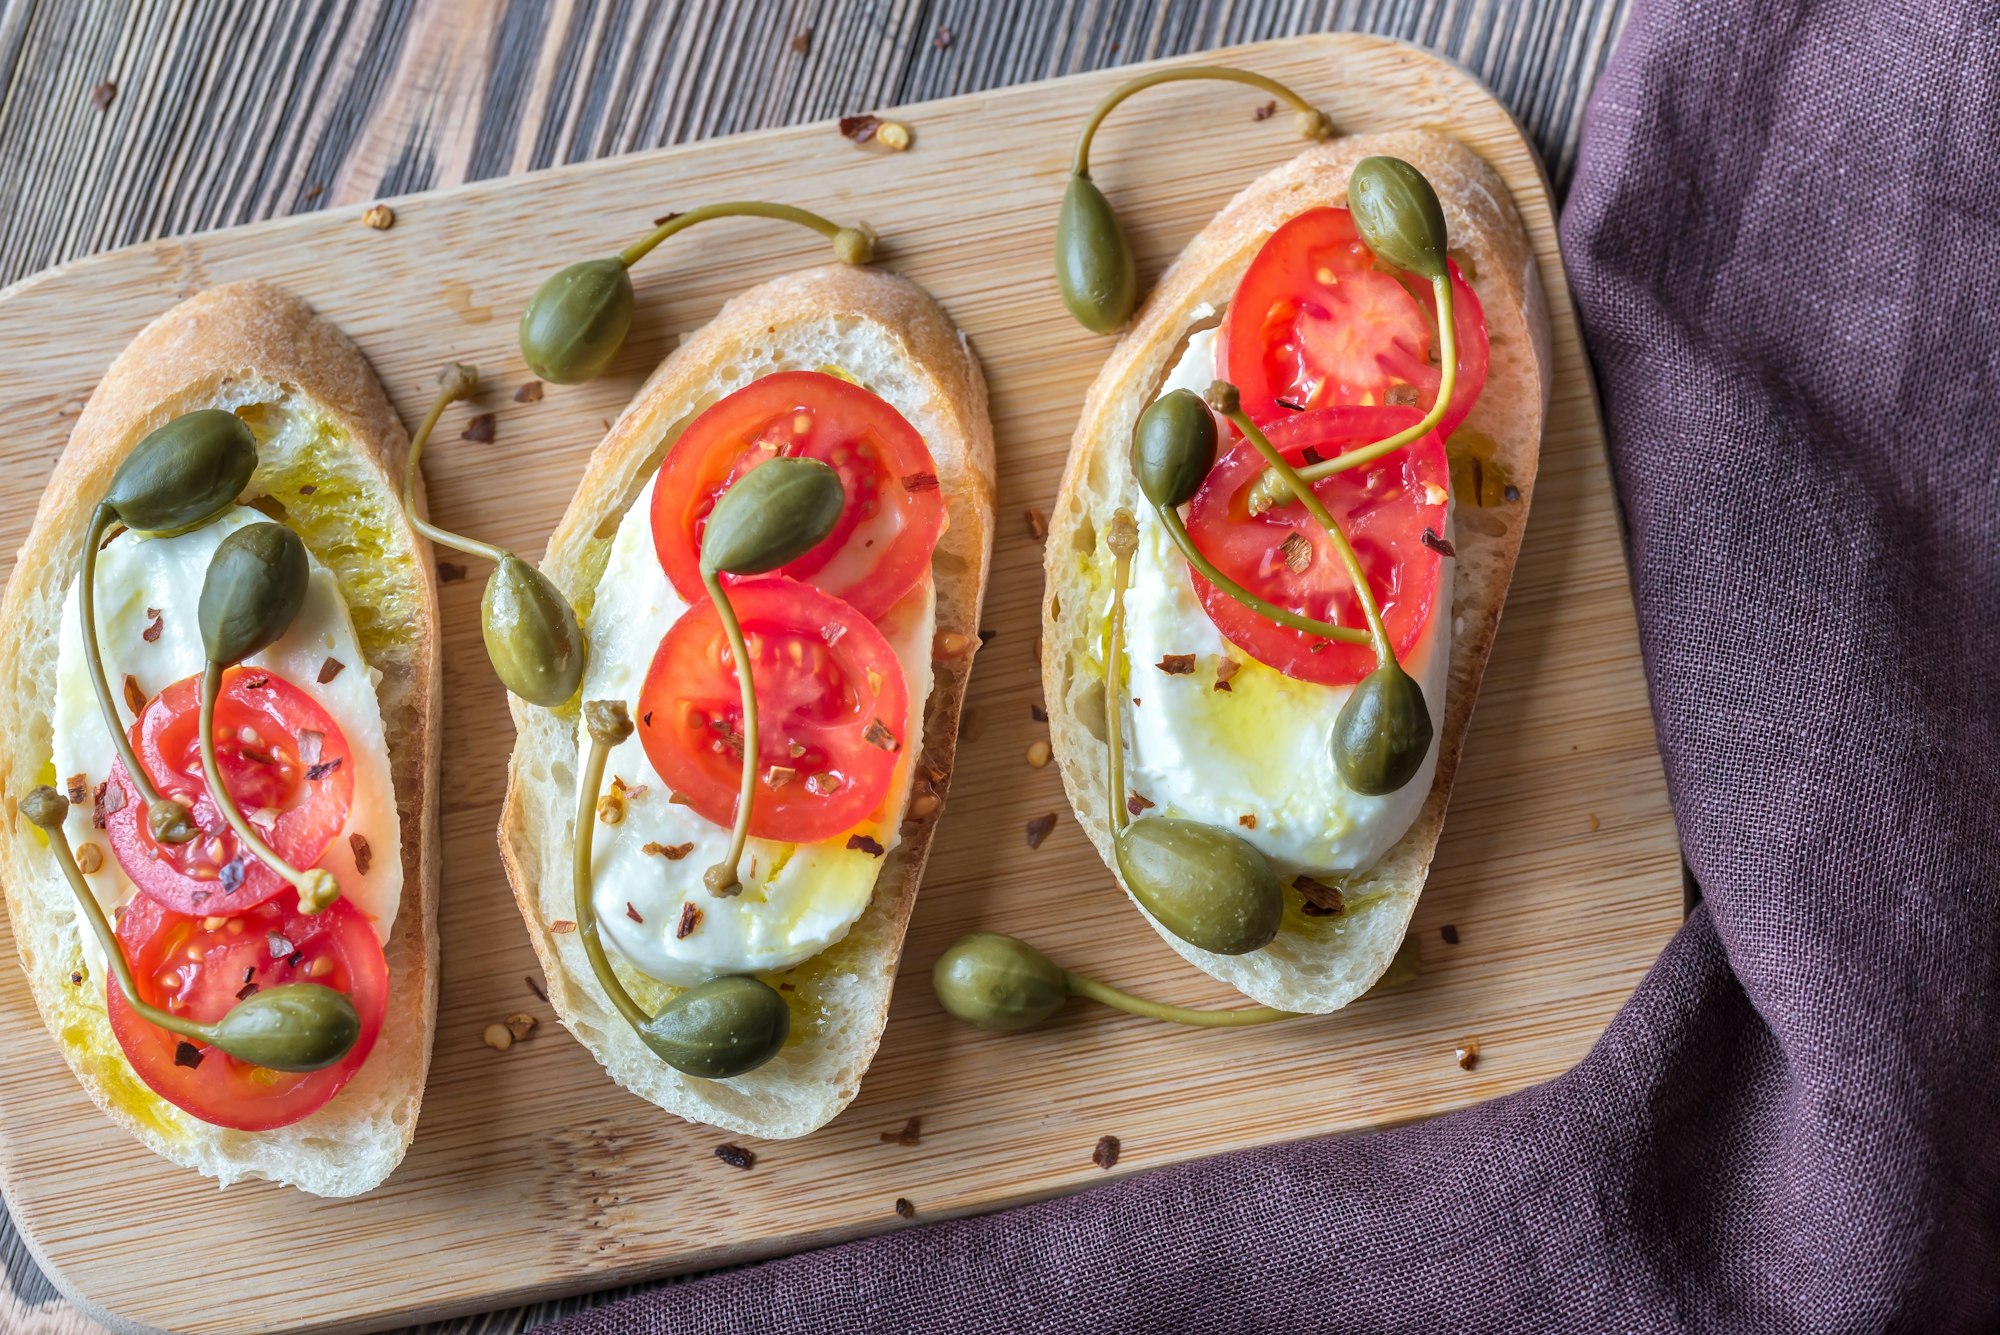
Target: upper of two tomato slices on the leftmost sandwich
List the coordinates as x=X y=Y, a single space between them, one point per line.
x=283 y=758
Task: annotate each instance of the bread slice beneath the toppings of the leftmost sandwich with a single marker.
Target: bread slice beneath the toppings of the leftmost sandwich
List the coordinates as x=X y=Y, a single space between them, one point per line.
x=265 y=355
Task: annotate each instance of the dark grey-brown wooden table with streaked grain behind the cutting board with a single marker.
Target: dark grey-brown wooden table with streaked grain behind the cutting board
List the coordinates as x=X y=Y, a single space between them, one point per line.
x=123 y=123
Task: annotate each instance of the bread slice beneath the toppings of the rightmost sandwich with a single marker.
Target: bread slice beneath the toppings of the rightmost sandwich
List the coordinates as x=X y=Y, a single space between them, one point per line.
x=1313 y=964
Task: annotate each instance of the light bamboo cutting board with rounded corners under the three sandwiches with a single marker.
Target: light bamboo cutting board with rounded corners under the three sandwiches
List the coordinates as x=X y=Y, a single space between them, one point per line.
x=535 y=1176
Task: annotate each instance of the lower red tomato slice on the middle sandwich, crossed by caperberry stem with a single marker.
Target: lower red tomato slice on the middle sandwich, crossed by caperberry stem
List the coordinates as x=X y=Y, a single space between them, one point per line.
x=833 y=712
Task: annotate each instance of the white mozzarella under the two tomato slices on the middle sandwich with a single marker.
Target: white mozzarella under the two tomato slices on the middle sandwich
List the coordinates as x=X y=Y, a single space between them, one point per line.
x=647 y=868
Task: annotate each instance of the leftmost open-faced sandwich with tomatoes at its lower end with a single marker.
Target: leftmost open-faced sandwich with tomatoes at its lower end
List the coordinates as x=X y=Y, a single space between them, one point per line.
x=217 y=750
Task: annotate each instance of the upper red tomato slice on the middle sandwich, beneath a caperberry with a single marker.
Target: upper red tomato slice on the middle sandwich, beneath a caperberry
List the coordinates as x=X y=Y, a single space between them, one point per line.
x=895 y=515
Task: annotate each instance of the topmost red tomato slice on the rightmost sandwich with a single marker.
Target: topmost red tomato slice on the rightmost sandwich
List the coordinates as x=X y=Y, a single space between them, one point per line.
x=1317 y=325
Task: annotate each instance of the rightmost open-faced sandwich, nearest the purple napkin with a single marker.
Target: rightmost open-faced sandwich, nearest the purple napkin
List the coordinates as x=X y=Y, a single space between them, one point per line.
x=1285 y=535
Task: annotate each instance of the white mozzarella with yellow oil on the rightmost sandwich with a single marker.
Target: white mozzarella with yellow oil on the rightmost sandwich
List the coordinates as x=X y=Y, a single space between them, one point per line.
x=1261 y=750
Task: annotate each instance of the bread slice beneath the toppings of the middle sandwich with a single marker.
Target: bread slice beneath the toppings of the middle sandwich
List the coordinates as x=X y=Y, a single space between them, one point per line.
x=891 y=337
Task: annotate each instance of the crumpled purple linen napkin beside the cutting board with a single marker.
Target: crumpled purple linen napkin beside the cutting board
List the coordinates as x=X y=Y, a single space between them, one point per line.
x=1785 y=239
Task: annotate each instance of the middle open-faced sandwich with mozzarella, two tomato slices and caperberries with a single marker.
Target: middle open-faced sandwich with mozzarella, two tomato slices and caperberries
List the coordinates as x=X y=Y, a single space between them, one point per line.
x=717 y=872
